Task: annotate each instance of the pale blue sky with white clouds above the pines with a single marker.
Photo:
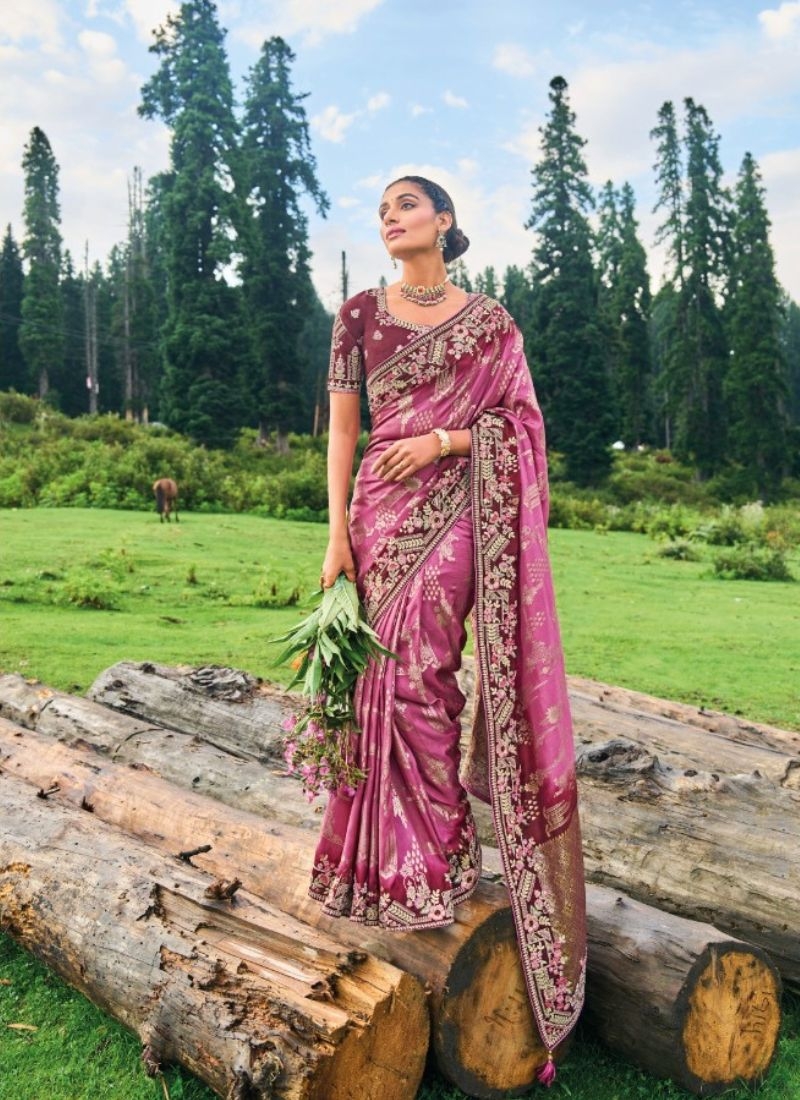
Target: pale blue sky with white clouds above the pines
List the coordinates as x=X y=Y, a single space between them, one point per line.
x=453 y=90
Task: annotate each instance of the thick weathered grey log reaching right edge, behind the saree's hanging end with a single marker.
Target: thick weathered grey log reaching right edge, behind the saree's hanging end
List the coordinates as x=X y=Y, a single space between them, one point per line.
x=709 y=848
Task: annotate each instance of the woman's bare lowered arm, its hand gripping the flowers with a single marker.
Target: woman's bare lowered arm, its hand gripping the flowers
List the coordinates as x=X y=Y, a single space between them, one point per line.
x=344 y=436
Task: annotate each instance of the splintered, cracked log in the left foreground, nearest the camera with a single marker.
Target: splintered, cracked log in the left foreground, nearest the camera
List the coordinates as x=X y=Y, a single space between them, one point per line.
x=248 y=999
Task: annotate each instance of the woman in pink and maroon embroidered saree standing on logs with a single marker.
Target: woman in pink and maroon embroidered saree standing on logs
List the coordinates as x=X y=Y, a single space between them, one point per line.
x=450 y=512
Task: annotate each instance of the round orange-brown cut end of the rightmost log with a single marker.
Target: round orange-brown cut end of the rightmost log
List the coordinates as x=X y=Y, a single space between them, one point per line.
x=732 y=1019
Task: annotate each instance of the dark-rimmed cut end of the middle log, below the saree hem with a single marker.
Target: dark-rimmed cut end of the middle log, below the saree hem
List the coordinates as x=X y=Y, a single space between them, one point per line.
x=485 y=1038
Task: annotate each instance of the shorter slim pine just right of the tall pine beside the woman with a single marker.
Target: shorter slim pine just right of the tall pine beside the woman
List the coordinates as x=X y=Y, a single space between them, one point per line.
x=626 y=307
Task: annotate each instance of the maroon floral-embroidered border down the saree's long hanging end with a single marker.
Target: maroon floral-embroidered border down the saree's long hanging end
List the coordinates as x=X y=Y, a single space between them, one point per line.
x=532 y=866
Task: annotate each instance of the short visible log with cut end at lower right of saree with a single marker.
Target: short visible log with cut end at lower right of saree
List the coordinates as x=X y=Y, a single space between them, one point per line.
x=665 y=992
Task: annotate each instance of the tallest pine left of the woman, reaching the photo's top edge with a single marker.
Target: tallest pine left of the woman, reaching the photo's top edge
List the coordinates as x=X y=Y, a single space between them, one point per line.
x=204 y=336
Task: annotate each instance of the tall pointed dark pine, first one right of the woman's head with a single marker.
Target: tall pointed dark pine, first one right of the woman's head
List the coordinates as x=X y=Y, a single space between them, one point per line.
x=566 y=332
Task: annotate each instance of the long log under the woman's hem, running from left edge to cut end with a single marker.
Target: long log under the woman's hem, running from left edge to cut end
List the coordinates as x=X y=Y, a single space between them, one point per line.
x=488 y=1051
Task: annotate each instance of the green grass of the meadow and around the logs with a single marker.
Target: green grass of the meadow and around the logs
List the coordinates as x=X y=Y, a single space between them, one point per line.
x=81 y=590
